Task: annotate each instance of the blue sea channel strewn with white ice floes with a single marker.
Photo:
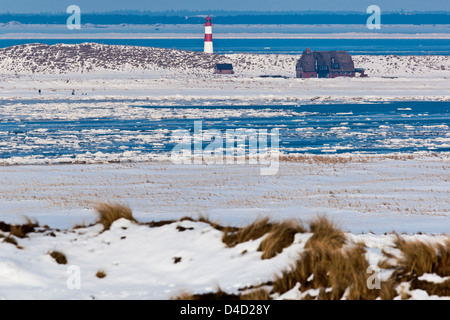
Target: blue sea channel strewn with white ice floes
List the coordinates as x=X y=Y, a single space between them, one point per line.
x=32 y=132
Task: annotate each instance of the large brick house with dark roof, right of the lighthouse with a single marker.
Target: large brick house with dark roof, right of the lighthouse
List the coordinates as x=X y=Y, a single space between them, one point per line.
x=325 y=64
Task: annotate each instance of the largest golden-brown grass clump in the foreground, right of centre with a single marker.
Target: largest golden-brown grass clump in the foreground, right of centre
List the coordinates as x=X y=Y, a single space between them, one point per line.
x=336 y=271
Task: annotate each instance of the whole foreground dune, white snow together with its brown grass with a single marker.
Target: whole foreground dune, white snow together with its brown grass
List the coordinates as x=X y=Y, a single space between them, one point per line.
x=167 y=259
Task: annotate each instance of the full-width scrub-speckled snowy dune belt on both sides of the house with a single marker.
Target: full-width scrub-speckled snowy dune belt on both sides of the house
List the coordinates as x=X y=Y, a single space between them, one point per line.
x=94 y=57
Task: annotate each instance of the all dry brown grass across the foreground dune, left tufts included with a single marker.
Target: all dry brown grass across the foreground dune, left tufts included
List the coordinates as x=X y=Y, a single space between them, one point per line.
x=330 y=265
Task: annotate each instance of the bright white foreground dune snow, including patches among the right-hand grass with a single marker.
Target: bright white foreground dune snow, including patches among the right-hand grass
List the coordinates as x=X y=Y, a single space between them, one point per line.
x=132 y=261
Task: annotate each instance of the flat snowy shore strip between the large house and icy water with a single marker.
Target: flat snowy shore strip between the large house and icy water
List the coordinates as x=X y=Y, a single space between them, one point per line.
x=251 y=90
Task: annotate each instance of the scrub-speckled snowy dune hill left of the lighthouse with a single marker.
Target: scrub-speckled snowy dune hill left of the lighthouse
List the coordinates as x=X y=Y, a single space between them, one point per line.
x=91 y=57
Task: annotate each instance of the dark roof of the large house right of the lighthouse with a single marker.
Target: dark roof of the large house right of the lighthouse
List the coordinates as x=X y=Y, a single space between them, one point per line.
x=334 y=60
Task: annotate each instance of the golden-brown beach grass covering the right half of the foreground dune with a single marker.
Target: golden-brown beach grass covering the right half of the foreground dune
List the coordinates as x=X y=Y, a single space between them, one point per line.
x=337 y=270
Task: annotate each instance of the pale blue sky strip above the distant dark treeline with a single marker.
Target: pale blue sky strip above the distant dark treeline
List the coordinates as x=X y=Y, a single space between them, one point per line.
x=256 y=5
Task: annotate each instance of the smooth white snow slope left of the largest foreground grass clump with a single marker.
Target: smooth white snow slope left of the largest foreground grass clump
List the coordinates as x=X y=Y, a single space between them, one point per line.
x=138 y=261
